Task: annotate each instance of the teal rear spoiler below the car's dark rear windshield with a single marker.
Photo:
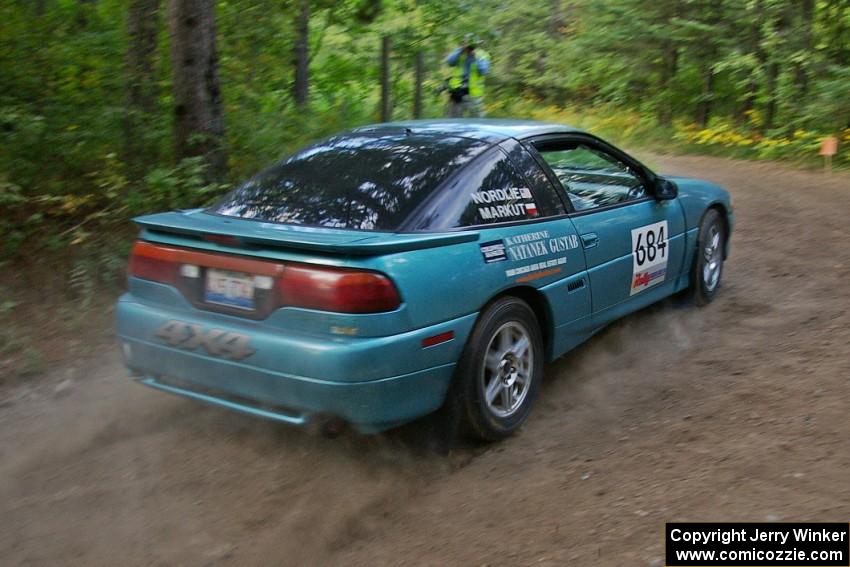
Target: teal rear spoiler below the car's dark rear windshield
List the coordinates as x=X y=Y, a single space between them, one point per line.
x=195 y=225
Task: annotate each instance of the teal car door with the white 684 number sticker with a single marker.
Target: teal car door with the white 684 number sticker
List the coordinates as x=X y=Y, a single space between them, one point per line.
x=633 y=243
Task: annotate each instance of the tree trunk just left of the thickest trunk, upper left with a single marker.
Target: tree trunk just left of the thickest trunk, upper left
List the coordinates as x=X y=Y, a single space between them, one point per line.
x=143 y=31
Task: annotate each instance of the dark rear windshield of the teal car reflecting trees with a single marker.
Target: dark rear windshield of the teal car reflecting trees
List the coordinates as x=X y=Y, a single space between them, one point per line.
x=356 y=181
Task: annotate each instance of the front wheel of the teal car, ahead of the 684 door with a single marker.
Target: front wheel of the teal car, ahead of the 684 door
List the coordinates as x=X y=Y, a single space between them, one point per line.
x=708 y=264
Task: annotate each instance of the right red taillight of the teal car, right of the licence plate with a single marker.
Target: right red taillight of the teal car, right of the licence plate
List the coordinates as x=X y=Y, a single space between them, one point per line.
x=339 y=290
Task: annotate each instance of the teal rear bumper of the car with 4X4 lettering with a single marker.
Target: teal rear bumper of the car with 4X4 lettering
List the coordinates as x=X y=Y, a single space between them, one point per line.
x=372 y=383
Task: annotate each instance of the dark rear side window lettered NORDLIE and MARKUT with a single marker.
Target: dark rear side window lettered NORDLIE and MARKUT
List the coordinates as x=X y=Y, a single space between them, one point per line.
x=489 y=191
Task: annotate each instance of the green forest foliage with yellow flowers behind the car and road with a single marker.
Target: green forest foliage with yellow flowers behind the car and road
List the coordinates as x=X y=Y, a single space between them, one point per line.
x=751 y=78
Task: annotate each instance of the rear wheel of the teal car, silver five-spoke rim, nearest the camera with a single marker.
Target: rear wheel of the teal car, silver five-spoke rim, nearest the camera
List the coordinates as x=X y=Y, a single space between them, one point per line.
x=499 y=373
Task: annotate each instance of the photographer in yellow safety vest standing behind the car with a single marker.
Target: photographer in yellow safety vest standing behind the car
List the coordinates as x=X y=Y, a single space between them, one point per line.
x=466 y=86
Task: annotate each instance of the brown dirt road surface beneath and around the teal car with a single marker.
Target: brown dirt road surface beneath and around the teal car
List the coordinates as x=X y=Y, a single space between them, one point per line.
x=738 y=411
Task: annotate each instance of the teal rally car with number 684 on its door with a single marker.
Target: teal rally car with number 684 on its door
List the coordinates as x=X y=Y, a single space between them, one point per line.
x=395 y=269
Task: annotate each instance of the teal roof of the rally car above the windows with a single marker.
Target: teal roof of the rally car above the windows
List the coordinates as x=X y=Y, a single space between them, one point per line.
x=485 y=129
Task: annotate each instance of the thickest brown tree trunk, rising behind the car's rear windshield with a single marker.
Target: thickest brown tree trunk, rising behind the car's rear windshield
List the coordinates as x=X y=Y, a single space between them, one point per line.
x=198 y=121
